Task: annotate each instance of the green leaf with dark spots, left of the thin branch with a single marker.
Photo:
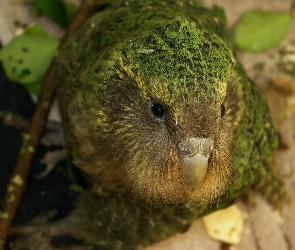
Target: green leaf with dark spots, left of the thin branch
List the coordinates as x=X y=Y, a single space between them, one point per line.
x=27 y=57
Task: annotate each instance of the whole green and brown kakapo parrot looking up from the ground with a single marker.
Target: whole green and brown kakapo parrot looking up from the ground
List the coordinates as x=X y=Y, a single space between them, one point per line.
x=162 y=120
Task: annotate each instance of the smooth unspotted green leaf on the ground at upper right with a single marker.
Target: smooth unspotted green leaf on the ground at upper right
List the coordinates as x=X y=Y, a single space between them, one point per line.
x=259 y=30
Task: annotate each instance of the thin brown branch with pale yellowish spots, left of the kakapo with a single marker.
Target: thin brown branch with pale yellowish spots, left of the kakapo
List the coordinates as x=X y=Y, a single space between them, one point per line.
x=18 y=180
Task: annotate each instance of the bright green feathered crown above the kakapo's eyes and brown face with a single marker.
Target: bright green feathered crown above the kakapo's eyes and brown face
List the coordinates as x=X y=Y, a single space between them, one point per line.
x=181 y=60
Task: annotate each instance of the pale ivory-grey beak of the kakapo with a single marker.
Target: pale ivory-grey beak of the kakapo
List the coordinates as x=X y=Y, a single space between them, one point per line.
x=194 y=155
